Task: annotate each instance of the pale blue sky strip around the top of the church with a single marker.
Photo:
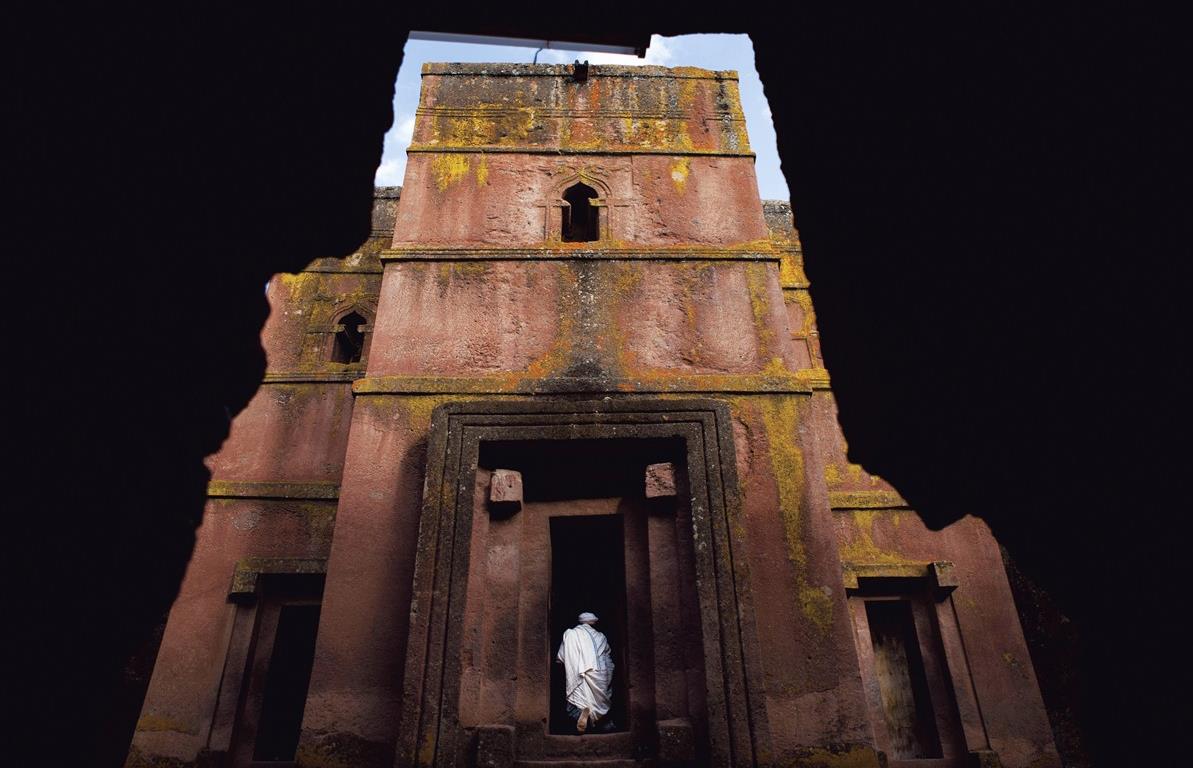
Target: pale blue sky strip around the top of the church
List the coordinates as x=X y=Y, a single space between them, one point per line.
x=712 y=52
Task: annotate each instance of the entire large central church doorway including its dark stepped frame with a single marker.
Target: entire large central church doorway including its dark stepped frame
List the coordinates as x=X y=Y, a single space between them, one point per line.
x=535 y=510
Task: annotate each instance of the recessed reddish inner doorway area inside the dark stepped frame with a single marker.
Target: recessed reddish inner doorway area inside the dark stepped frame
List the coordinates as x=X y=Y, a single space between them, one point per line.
x=583 y=537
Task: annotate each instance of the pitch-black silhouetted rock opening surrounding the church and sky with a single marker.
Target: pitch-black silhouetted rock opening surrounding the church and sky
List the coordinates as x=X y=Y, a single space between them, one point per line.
x=994 y=206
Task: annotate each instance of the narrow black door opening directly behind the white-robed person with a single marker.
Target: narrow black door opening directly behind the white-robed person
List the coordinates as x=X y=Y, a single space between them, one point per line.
x=589 y=574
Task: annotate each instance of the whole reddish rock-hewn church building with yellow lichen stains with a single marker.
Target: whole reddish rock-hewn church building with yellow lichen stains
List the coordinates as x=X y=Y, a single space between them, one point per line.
x=574 y=369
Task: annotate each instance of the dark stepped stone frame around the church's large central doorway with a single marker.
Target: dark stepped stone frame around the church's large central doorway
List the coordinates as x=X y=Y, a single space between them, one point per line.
x=431 y=729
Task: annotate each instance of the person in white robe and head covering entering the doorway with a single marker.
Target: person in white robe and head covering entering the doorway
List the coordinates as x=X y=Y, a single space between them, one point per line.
x=589 y=673
